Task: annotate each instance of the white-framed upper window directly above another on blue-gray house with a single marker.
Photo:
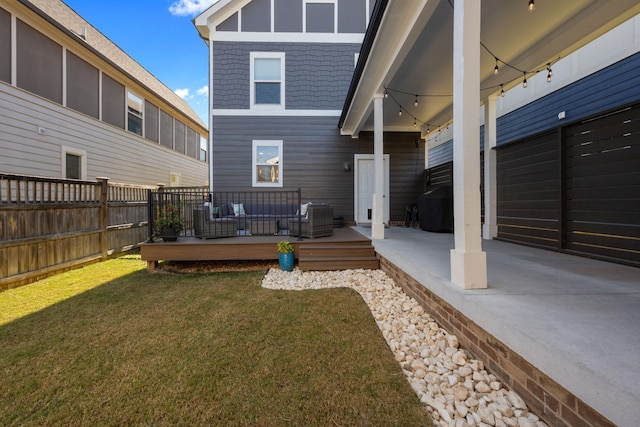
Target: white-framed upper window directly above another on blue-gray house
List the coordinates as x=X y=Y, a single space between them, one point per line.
x=267 y=80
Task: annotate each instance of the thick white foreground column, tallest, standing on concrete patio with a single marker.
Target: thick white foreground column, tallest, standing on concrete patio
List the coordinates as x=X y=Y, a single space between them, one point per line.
x=468 y=261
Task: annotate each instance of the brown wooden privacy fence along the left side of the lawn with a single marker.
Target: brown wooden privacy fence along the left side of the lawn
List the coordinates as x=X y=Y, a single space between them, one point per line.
x=49 y=225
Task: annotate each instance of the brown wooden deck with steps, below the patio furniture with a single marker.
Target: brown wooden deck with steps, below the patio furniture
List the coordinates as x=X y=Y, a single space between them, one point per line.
x=344 y=249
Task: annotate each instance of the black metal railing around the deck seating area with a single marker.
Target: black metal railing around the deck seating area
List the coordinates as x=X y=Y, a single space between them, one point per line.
x=254 y=212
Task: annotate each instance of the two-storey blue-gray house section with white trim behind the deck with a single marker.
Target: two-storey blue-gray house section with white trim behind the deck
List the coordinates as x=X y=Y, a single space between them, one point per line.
x=280 y=71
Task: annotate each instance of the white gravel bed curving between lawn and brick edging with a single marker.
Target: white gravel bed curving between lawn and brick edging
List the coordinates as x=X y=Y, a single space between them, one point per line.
x=456 y=389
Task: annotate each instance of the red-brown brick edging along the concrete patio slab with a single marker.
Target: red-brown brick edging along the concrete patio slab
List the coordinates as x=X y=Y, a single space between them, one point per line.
x=554 y=404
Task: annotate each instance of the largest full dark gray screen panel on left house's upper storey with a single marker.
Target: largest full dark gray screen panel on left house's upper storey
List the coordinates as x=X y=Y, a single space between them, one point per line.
x=39 y=63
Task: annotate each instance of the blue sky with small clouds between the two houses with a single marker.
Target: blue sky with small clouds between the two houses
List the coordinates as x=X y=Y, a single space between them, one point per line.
x=160 y=36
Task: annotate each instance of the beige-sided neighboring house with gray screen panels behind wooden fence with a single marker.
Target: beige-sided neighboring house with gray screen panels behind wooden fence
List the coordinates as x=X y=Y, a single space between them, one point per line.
x=74 y=105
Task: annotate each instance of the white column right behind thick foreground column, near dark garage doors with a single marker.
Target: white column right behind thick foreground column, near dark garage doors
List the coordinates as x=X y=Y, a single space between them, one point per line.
x=490 y=227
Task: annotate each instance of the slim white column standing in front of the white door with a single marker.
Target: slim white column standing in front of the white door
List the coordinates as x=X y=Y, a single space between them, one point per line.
x=377 y=222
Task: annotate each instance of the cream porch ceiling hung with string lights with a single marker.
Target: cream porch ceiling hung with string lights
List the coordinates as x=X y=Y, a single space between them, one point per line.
x=412 y=52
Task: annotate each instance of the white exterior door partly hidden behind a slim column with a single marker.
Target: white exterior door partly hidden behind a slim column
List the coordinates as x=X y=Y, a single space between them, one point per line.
x=364 y=188
